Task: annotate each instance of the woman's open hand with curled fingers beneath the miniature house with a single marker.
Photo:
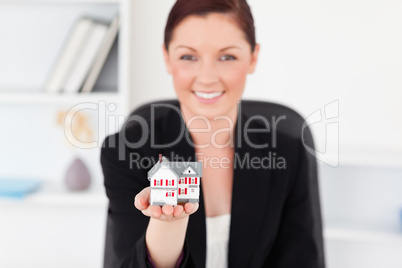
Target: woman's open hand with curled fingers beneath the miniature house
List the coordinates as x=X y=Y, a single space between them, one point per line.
x=167 y=212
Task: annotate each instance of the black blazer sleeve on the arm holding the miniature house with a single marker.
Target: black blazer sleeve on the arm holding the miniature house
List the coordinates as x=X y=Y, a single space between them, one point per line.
x=126 y=226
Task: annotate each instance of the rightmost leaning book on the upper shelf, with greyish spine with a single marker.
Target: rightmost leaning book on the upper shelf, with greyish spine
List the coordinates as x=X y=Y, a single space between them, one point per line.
x=102 y=55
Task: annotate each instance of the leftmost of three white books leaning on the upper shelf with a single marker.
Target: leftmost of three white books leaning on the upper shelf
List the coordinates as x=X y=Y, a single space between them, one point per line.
x=69 y=54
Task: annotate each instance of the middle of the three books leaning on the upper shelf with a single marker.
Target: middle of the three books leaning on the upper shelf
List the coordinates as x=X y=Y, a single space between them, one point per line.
x=86 y=57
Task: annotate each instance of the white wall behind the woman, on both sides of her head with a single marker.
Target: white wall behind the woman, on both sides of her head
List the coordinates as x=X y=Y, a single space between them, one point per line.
x=312 y=53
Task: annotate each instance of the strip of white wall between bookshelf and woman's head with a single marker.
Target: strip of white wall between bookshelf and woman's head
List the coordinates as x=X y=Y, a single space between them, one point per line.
x=150 y=78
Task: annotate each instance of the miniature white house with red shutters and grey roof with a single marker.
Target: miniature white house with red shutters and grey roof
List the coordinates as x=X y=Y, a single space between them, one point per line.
x=174 y=182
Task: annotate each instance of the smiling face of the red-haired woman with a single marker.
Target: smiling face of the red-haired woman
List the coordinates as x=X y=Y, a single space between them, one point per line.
x=209 y=59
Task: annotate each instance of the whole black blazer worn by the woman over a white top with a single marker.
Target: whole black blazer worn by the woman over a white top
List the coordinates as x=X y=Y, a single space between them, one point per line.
x=287 y=234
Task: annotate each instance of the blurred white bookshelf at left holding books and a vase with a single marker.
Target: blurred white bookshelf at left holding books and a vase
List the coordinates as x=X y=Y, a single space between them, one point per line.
x=33 y=144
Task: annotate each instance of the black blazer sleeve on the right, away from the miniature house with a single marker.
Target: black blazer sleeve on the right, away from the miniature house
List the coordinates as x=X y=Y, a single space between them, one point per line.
x=299 y=242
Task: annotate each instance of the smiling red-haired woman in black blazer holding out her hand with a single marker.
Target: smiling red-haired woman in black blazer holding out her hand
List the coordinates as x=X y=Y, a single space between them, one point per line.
x=258 y=202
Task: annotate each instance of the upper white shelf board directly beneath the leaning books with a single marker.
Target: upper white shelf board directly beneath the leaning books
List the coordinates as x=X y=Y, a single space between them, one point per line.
x=45 y=98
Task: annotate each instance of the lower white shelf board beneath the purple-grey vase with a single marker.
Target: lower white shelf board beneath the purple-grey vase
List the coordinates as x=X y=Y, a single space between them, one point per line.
x=56 y=194
